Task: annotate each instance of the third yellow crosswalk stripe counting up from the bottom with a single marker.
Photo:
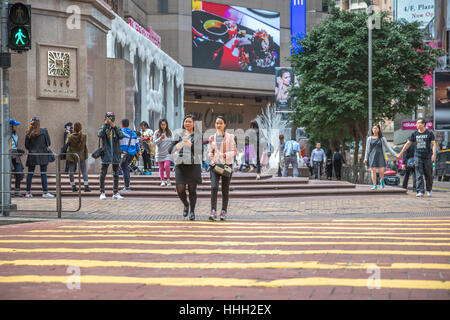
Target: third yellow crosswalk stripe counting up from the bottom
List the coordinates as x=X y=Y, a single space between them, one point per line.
x=224 y=251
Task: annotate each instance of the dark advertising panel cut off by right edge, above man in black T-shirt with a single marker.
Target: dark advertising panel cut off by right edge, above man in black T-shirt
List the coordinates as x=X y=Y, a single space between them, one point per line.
x=442 y=101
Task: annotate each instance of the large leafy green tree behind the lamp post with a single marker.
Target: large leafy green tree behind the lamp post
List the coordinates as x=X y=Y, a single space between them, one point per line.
x=332 y=69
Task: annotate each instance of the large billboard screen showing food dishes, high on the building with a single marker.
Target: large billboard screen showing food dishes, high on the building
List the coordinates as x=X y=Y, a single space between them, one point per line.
x=233 y=38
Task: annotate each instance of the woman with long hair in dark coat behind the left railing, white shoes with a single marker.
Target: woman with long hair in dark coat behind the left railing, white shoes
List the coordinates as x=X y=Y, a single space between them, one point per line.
x=37 y=142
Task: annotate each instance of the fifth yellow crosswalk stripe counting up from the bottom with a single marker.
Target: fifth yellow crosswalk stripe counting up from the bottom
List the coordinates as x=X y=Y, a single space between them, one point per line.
x=244 y=232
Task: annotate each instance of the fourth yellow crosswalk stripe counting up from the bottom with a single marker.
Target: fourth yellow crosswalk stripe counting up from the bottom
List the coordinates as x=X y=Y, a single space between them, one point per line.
x=231 y=243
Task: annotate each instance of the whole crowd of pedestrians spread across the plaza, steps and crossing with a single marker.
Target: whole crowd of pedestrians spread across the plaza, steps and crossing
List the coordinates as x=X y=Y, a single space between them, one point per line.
x=123 y=147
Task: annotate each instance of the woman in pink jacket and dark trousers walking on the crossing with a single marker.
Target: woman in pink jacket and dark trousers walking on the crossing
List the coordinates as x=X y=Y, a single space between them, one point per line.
x=222 y=150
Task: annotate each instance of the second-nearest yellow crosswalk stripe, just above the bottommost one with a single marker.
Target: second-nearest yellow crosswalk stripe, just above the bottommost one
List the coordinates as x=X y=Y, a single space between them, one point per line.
x=221 y=265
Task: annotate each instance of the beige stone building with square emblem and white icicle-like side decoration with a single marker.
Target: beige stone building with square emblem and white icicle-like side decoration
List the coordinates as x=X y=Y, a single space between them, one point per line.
x=86 y=60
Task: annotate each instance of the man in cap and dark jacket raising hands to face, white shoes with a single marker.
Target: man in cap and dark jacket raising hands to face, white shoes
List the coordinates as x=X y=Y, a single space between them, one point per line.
x=110 y=135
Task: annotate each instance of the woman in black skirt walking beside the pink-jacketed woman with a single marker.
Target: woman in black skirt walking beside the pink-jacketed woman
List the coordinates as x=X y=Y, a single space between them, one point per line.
x=188 y=166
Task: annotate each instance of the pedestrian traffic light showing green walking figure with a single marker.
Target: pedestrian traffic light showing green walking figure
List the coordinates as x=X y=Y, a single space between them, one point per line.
x=19 y=26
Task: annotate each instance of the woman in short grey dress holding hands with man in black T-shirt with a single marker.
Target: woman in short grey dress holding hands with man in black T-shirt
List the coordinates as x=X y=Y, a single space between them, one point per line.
x=376 y=145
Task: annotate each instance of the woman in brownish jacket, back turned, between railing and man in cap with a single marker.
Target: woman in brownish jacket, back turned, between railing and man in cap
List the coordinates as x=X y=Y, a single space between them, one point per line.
x=77 y=143
